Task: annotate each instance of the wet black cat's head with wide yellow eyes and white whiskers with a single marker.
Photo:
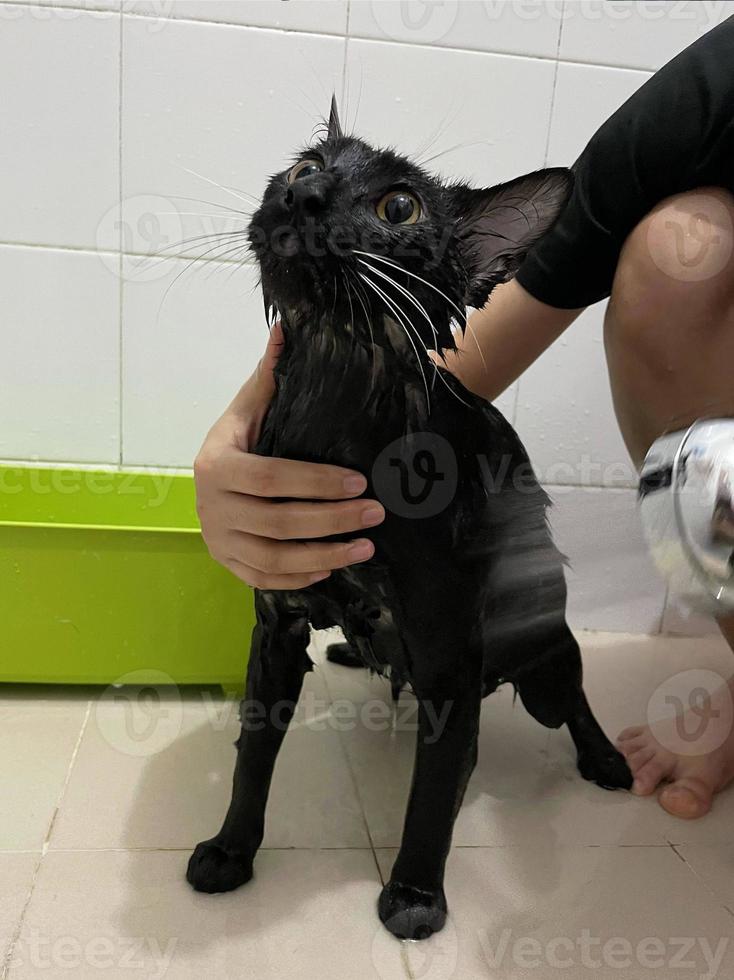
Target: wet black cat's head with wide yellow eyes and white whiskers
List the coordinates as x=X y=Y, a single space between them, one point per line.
x=354 y=234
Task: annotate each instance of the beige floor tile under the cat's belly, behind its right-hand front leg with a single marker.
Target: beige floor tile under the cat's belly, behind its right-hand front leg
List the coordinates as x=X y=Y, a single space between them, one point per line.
x=525 y=785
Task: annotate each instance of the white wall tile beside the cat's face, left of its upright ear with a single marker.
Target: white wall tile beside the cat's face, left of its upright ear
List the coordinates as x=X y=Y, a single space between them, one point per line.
x=230 y=103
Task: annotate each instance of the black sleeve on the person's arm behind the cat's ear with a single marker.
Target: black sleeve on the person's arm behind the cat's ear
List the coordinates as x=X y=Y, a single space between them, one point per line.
x=674 y=134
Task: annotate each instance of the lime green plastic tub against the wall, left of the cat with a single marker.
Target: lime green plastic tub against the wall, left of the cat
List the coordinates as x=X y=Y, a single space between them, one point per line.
x=105 y=573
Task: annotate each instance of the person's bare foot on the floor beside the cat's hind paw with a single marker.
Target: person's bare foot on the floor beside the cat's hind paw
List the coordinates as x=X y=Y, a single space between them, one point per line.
x=693 y=753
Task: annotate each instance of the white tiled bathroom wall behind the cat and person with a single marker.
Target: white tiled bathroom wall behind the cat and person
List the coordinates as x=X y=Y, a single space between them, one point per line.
x=129 y=125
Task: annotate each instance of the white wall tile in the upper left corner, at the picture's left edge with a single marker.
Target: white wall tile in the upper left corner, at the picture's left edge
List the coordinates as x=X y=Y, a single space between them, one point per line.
x=59 y=78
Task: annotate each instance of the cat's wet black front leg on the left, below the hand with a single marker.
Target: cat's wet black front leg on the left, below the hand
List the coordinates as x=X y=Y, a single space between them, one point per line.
x=278 y=663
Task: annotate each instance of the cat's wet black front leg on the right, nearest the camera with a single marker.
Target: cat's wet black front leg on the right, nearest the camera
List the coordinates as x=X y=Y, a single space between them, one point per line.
x=412 y=904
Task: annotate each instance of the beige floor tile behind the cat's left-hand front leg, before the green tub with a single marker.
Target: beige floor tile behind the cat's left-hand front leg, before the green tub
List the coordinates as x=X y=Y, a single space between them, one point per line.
x=160 y=776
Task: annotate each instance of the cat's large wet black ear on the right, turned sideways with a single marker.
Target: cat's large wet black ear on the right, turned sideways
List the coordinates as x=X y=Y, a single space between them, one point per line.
x=496 y=227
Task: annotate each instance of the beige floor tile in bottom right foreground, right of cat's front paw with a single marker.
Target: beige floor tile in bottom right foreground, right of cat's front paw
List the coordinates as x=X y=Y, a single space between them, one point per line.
x=602 y=912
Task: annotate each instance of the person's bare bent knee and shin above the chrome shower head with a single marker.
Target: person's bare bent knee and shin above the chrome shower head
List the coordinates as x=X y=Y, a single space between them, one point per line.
x=669 y=328
